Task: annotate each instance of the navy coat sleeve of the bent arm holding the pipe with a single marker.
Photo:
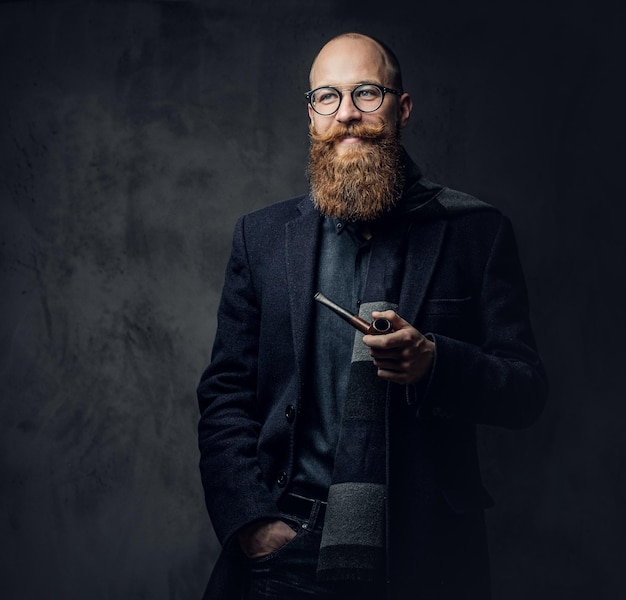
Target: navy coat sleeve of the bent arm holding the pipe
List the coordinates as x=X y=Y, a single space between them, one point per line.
x=500 y=380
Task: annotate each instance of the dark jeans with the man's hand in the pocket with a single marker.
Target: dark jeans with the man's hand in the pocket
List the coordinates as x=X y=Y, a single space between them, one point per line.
x=290 y=572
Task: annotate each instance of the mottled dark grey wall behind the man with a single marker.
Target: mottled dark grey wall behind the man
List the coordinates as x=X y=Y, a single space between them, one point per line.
x=134 y=134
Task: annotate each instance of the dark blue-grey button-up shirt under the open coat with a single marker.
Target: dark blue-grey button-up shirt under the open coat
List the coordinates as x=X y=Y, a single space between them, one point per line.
x=342 y=270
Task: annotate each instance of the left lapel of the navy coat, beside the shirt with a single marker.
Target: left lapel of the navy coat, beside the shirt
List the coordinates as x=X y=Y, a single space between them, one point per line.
x=301 y=247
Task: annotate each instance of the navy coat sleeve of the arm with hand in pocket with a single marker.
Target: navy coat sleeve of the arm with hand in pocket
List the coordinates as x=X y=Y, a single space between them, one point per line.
x=229 y=426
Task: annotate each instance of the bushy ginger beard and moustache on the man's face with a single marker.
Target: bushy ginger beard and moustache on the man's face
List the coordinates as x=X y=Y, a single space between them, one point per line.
x=362 y=183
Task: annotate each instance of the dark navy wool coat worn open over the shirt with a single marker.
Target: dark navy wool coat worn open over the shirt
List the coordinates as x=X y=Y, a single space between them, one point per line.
x=463 y=285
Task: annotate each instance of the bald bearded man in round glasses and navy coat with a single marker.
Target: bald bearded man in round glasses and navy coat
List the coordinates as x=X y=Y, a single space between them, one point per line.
x=342 y=465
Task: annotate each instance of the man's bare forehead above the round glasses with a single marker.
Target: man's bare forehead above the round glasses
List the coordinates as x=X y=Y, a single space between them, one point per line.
x=348 y=61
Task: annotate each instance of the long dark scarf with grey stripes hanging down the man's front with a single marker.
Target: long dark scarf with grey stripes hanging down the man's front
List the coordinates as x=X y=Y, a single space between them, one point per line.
x=353 y=543
